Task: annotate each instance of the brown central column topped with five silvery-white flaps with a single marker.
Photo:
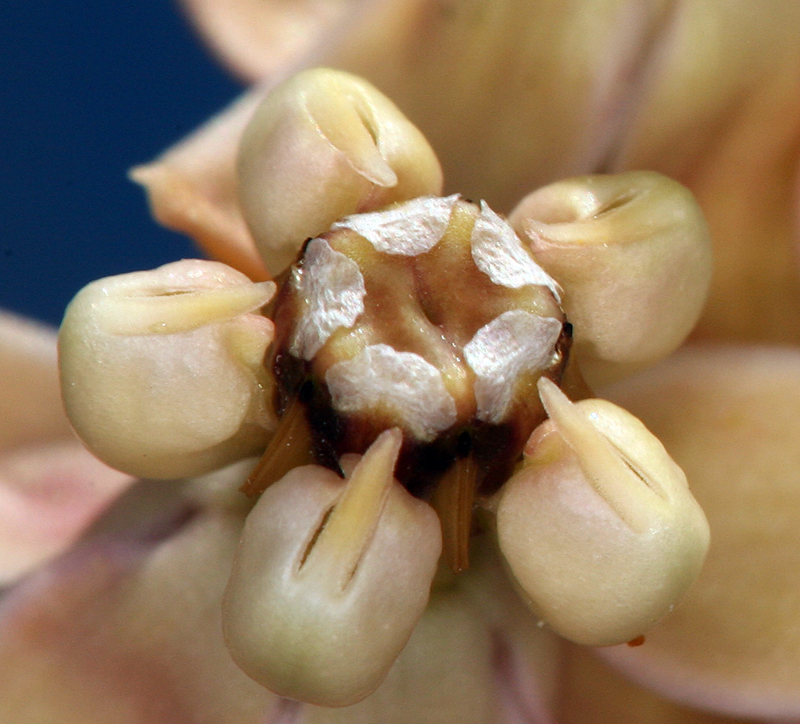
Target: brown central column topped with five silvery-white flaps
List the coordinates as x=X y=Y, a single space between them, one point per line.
x=430 y=316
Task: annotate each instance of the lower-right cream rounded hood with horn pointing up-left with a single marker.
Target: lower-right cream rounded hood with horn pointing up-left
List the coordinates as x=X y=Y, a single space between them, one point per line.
x=599 y=527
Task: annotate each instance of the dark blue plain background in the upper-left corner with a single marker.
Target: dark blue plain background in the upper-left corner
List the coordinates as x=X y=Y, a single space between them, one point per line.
x=88 y=90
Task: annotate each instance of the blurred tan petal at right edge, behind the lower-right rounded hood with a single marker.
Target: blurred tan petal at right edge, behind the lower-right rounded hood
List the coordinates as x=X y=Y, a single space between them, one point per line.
x=729 y=417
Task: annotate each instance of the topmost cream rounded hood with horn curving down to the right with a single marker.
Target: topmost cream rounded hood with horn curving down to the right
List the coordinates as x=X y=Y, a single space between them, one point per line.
x=323 y=145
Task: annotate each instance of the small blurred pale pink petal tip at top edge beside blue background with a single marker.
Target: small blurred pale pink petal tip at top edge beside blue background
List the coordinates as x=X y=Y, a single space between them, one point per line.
x=259 y=38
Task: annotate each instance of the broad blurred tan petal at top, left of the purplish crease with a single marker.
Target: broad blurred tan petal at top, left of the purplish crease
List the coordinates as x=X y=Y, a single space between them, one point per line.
x=511 y=94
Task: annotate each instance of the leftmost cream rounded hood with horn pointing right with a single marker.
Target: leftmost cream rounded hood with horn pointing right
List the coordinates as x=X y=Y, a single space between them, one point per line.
x=161 y=371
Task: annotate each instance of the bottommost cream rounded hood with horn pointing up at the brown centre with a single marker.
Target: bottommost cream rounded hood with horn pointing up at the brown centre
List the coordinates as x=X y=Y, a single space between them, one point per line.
x=330 y=578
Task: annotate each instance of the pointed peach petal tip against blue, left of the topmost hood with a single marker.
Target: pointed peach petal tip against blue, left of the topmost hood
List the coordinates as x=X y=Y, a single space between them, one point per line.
x=192 y=189
